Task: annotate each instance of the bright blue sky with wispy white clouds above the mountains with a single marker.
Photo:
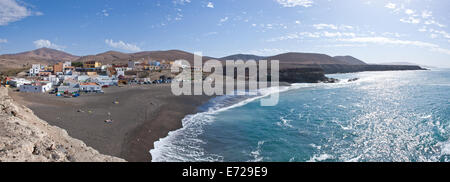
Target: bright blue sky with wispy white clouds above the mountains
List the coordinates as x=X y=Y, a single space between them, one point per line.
x=375 y=31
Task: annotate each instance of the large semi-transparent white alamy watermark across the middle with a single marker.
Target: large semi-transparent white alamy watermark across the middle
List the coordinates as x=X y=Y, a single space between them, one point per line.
x=240 y=78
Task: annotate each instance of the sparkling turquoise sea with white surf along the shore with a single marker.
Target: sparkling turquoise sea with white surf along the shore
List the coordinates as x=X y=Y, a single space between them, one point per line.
x=384 y=116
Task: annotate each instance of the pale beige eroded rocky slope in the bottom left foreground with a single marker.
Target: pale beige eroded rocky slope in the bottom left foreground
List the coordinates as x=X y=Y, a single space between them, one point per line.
x=24 y=137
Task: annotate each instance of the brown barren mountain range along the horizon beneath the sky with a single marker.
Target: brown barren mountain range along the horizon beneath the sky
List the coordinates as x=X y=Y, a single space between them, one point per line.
x=50 y=56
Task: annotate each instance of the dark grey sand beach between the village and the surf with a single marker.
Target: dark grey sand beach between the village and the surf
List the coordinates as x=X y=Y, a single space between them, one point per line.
x=143 y=115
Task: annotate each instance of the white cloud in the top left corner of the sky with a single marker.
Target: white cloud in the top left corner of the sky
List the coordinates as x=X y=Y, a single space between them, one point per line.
x=11 y=11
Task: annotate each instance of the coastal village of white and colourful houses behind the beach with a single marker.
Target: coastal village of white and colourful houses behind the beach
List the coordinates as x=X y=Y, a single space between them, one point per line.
x=71 y=79
